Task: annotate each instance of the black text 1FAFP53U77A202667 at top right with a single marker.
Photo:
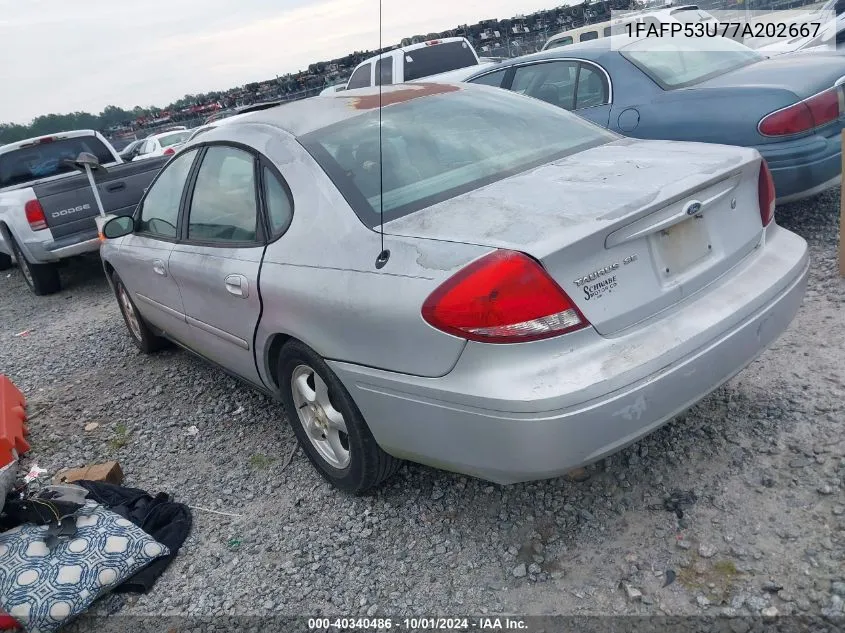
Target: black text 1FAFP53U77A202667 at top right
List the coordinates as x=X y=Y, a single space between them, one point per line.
x=731 y=30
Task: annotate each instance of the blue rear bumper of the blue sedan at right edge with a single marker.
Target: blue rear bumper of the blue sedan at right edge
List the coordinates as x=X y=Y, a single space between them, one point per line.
x=804 y=167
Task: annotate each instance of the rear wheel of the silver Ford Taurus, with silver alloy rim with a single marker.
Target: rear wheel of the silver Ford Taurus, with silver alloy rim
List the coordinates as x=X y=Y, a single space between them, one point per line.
x=328 y=424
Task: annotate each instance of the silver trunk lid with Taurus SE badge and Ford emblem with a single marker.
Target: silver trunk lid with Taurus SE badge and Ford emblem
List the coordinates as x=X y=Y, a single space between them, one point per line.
x=626 y=229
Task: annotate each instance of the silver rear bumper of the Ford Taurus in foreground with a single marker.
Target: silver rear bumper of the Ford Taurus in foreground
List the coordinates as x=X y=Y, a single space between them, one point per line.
x=508 y=414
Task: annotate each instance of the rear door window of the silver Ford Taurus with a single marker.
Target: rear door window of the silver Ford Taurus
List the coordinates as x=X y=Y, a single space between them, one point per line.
x=224 y=206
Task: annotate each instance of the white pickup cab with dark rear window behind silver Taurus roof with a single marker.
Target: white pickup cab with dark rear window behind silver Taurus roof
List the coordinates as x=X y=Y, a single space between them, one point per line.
x=414 y=62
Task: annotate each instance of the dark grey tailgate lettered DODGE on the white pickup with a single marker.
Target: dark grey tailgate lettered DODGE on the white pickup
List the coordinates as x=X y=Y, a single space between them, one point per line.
x=69 y=203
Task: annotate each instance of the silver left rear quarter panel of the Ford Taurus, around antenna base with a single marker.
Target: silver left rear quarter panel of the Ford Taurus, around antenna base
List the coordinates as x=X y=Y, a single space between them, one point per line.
x=319 y=282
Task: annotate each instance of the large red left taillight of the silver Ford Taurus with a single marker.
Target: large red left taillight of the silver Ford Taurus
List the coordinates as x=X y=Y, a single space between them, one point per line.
x=504 y=297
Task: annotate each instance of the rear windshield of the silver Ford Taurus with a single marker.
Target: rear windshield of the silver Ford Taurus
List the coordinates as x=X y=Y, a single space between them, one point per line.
x=443 y=145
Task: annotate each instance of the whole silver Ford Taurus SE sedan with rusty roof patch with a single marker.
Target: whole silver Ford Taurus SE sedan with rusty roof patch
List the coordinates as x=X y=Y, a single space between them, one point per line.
x=465 y=277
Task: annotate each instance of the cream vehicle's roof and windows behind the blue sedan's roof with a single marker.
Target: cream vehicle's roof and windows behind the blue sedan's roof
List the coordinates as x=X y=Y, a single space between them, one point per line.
x=685 y=14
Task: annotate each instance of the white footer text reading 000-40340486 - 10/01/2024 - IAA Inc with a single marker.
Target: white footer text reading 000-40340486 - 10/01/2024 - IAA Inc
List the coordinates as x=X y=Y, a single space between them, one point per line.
x=418 y=624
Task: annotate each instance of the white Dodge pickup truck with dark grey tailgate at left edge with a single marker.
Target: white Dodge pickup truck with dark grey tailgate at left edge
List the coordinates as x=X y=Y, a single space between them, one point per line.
x=47 y=208
